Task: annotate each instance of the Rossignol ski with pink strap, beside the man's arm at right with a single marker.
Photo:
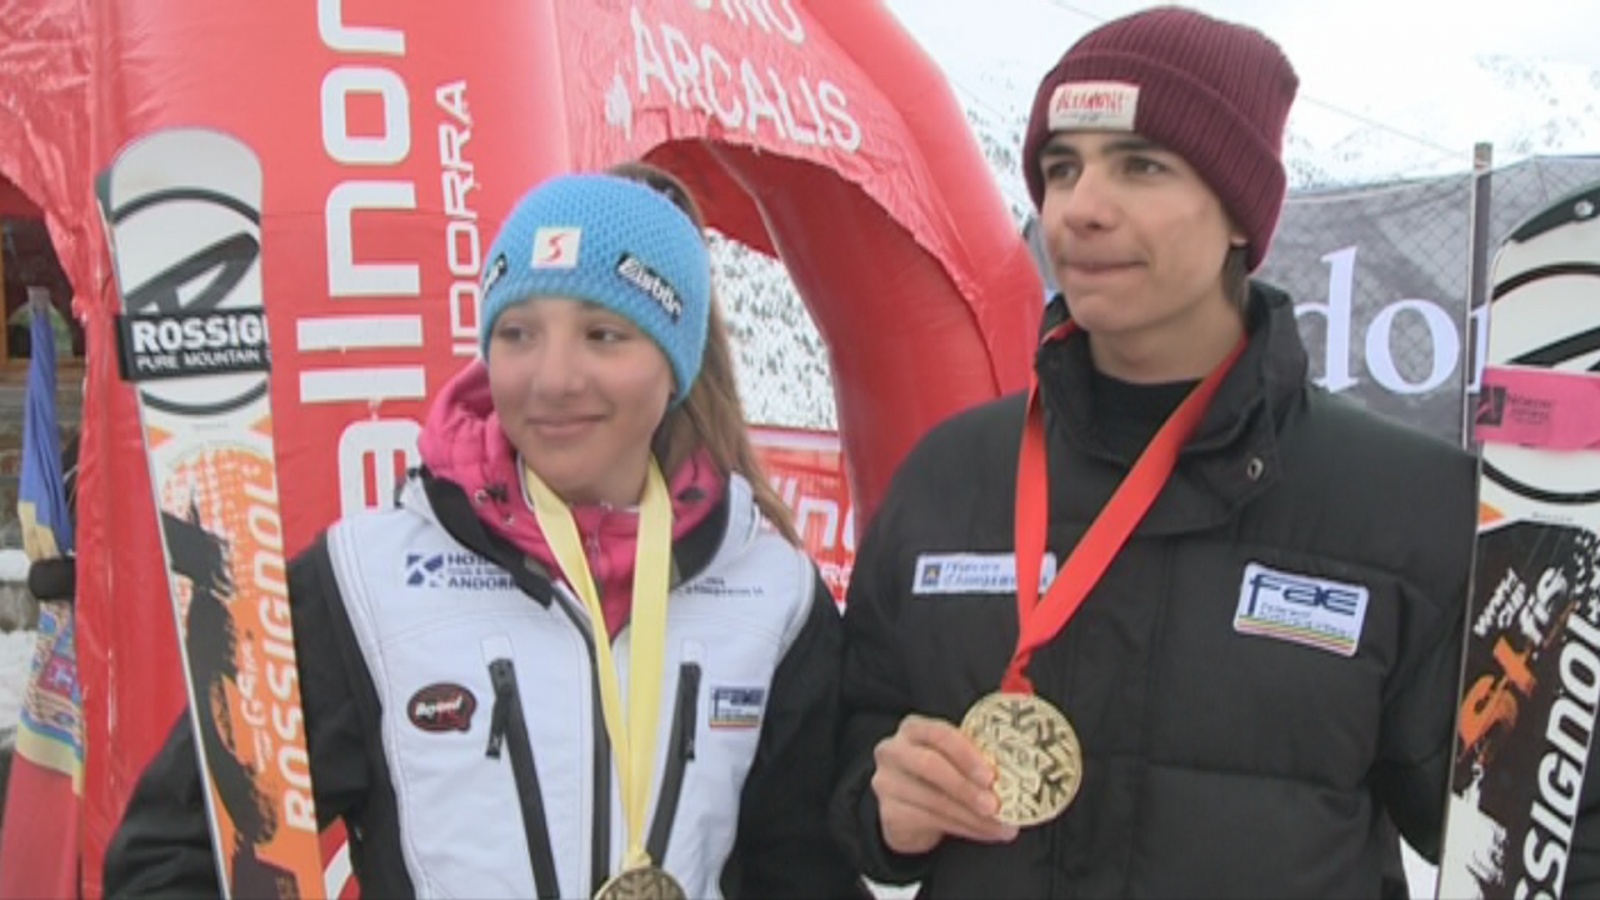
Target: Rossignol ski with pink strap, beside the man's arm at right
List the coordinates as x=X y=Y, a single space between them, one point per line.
x=1532 y=657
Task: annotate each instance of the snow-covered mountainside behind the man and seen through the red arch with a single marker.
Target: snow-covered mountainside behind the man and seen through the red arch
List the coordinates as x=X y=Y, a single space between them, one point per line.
x=1524 y=108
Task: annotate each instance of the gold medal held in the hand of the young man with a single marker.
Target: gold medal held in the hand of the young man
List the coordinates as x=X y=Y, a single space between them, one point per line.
x=1039 y=765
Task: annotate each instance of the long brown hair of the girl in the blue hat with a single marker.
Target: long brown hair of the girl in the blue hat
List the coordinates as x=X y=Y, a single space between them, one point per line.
x=713 y=416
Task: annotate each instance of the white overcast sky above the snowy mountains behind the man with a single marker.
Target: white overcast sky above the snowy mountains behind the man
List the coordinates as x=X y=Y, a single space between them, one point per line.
x=1391 y=62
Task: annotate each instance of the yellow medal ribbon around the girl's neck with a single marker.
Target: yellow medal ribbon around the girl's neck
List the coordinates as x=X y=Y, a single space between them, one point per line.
x=636 y=744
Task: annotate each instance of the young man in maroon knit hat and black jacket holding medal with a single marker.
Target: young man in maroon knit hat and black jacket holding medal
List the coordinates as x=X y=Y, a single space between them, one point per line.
x=1247 y=664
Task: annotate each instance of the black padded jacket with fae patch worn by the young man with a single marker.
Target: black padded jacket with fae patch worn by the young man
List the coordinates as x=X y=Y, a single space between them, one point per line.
x=1265 y=672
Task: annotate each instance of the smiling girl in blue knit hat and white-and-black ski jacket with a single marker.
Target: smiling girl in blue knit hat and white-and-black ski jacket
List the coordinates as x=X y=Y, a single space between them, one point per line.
x=585 y=656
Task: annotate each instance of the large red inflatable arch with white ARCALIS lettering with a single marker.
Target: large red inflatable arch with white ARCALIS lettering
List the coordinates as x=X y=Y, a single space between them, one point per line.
x=394 y=137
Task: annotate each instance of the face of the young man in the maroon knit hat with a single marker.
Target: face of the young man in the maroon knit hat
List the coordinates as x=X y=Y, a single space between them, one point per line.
x=1135 y=238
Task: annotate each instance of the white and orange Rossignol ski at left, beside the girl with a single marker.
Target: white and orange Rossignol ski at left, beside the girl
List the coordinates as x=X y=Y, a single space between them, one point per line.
x=183 y=214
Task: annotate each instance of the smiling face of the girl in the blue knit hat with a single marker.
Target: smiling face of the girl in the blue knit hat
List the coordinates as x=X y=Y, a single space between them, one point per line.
x=580 y=393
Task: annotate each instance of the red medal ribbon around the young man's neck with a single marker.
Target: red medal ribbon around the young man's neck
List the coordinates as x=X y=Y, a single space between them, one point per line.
x=1038 y=621
